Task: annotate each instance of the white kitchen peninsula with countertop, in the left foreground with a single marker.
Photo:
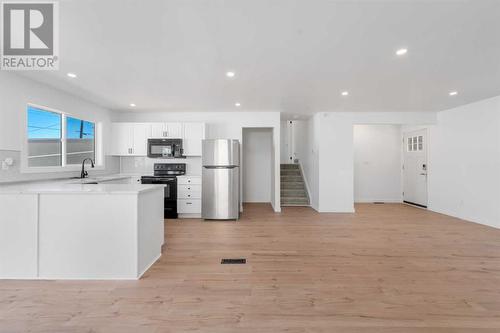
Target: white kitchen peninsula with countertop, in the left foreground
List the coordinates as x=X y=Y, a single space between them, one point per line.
x=80 y=231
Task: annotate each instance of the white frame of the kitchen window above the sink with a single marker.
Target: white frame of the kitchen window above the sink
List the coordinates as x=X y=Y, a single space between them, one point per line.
x=98 y=143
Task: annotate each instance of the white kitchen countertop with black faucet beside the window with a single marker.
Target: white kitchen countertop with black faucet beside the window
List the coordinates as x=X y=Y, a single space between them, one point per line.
x=78 y=186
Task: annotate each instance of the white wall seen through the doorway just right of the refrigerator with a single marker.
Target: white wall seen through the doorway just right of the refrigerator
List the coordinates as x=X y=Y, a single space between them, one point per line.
x=256 y=164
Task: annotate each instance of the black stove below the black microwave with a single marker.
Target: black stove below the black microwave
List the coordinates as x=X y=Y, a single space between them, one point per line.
x=166 y=174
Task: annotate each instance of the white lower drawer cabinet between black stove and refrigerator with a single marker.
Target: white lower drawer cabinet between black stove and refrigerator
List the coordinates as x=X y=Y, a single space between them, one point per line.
x=189 y=196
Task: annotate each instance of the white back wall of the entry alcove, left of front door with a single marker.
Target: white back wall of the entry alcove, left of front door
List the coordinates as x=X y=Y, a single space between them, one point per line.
x=377 y=163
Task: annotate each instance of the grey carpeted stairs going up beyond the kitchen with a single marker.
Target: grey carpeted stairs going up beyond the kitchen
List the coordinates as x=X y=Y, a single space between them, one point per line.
x=293 y=189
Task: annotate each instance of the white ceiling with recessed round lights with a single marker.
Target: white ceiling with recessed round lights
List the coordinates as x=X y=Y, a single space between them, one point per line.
x=289 y=55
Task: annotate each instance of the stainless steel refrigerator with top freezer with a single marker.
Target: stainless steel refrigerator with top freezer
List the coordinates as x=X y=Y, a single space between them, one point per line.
x=220 y=199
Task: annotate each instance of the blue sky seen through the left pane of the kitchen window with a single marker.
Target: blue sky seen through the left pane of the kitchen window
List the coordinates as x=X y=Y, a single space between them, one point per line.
x=43 y=124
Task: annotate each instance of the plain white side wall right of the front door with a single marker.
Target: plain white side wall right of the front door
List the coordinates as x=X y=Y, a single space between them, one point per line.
x=464 y=162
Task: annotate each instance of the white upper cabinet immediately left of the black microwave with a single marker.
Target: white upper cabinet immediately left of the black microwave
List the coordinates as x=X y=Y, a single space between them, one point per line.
x=130 y=139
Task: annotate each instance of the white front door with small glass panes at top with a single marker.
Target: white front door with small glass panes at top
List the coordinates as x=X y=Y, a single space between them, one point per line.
x=415 y=168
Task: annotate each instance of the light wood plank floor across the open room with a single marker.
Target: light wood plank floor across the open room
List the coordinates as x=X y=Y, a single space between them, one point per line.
x=387 y=268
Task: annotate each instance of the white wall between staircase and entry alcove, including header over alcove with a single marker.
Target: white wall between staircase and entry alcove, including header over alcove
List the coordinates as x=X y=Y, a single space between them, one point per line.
x=333 y=144
